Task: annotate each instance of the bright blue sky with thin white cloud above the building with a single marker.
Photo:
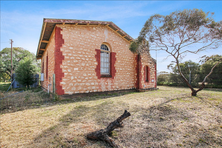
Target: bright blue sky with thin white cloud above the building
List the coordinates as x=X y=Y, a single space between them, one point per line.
x=22 y=20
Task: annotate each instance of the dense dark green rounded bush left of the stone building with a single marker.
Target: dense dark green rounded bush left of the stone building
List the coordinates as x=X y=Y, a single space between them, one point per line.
x=25 y=72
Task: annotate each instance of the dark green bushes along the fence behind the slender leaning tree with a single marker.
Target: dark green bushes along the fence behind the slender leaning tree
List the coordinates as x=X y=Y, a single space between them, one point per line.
x=198 y=72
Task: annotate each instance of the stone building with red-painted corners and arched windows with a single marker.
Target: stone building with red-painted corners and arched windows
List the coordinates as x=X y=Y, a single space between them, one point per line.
x=91 y=56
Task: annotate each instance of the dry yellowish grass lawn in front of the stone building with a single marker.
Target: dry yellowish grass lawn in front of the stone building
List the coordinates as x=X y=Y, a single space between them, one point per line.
x=169 y=117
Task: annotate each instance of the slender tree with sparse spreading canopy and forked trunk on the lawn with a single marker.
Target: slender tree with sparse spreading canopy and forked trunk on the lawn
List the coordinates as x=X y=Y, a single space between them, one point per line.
x=180 y=33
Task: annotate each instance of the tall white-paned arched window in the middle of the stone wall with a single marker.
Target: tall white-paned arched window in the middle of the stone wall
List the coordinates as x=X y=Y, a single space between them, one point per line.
x=104 y=60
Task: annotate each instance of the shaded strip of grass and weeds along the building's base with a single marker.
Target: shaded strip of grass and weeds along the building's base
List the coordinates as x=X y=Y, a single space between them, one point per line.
x=36 y=98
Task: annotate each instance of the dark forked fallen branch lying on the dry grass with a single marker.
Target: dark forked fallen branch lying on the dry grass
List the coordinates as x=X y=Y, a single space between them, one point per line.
x=103 y=134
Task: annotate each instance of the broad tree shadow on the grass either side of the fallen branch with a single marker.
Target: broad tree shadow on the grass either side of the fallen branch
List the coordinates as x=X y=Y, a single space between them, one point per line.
x=163 y=125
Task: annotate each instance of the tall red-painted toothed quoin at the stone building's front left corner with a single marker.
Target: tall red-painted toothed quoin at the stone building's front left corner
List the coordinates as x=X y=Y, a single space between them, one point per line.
x=58 y=60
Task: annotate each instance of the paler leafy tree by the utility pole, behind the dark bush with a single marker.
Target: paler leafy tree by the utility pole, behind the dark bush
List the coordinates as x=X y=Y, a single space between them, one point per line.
x=18 y=55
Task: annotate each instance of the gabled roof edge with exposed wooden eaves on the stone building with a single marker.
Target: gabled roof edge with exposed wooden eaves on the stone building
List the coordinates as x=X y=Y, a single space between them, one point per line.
x=49 y=25
